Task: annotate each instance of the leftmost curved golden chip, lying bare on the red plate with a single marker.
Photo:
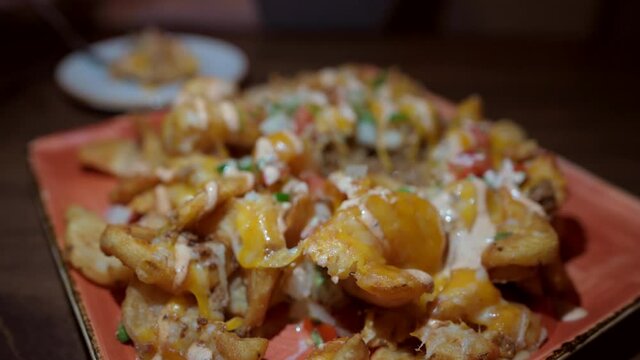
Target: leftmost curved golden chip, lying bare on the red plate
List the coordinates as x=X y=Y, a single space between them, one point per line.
x=83 y=249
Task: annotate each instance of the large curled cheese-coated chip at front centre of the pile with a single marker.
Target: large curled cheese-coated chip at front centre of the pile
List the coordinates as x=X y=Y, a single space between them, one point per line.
x=383 y=249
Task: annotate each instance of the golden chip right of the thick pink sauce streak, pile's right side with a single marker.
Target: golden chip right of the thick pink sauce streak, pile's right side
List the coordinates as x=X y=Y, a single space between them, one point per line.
x=529 y=239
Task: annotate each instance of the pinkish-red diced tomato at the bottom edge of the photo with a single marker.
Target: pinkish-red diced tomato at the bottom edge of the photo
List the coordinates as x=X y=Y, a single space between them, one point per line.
x=295 y=342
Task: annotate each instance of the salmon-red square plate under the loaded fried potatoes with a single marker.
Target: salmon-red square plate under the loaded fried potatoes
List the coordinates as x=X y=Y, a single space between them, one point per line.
x=599 y=222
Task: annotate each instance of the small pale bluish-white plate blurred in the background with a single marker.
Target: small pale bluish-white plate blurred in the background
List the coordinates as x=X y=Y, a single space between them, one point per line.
x=91 y=82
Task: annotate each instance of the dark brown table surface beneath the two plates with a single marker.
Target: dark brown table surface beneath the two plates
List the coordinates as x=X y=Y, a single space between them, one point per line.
x=579 y=100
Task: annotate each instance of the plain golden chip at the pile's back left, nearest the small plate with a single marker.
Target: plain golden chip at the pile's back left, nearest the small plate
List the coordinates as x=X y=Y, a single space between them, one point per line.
x=119 y=157
